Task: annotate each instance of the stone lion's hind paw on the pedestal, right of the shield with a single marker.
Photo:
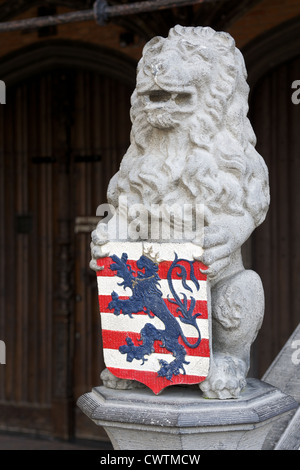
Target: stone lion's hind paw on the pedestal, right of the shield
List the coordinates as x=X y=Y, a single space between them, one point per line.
x=226 y=379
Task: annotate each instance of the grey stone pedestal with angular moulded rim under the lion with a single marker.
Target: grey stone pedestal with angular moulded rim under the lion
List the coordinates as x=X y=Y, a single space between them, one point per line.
x=181 y=419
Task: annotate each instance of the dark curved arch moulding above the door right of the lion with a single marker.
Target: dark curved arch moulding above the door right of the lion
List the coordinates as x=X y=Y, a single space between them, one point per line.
x=271 y=49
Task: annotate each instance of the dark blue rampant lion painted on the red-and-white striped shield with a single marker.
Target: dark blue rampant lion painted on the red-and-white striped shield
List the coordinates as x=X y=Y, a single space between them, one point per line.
x=147 y=297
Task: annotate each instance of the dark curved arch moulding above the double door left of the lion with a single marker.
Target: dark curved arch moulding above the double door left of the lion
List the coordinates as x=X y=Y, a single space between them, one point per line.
x=28 y=61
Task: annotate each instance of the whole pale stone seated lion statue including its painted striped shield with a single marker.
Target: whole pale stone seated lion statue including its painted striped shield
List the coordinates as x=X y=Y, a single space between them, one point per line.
x=191 y=167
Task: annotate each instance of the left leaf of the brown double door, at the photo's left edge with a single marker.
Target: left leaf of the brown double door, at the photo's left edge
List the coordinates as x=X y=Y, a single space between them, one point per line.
x=28 y=229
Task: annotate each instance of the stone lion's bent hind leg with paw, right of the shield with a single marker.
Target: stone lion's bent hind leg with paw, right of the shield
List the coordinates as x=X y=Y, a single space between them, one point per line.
x=237 y=310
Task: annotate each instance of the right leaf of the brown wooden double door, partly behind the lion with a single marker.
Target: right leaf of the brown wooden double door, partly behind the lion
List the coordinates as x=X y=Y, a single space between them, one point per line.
x=100 y=139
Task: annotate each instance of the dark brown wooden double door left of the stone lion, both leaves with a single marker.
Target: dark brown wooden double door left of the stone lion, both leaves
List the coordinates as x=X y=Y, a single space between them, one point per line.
x=62 y=135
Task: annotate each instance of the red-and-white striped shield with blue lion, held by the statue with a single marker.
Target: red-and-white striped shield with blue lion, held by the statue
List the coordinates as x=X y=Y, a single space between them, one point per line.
x=155 y=313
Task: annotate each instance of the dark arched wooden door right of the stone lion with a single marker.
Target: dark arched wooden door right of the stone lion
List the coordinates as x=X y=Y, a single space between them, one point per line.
x=276 y=247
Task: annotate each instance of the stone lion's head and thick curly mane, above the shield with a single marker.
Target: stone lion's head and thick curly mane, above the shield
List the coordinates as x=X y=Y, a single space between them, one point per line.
x=201 y=147
